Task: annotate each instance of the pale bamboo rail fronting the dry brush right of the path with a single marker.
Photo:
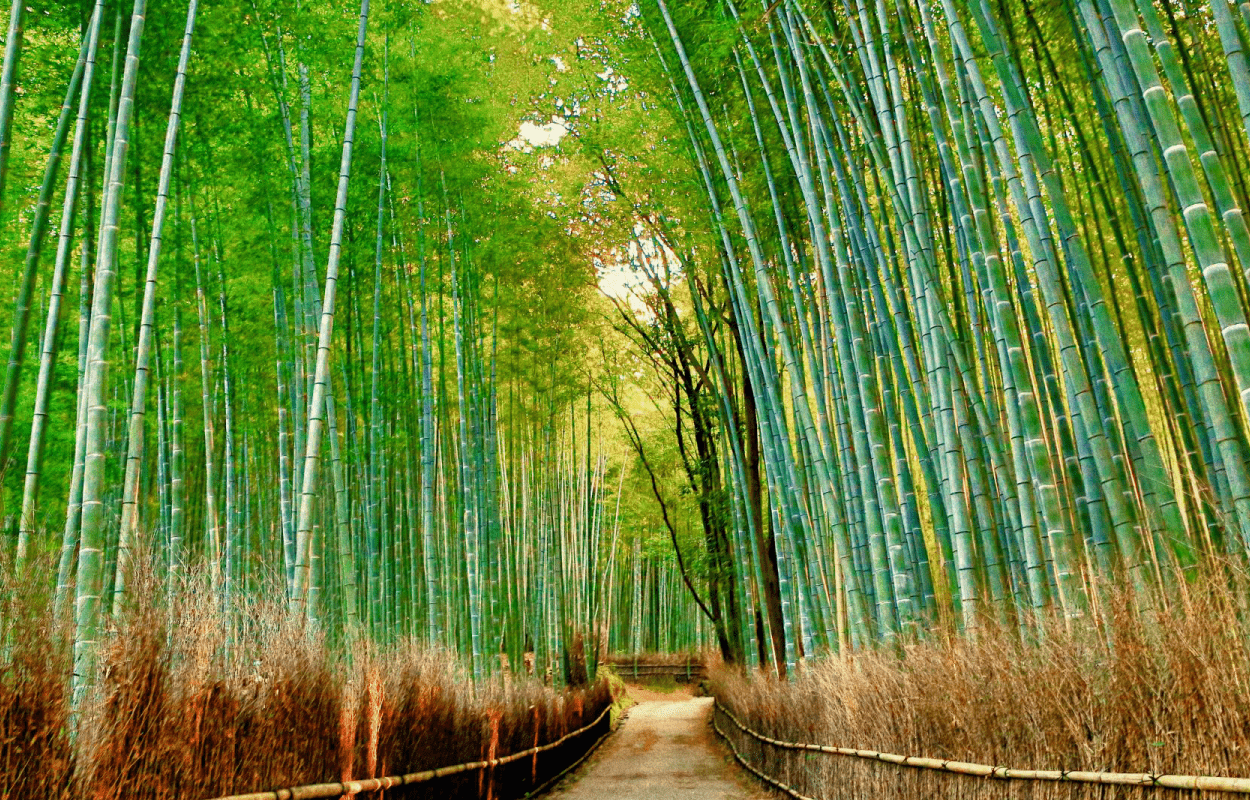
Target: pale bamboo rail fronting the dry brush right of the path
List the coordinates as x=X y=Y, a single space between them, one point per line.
x=1204 y=783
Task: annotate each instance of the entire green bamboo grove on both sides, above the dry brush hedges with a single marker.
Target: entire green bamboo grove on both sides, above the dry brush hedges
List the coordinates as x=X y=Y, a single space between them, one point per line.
x=947 y=298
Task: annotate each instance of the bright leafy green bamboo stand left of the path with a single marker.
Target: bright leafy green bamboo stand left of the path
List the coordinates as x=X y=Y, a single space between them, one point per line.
x=323 y=367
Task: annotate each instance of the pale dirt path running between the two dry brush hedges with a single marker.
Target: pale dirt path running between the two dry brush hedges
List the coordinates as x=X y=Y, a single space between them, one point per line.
x=666 y=749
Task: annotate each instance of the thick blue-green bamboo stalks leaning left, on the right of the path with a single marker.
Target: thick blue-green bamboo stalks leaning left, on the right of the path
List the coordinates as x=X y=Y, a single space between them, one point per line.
x=968 y=282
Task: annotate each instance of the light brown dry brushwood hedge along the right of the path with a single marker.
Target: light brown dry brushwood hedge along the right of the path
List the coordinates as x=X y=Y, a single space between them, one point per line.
x=1164 y=697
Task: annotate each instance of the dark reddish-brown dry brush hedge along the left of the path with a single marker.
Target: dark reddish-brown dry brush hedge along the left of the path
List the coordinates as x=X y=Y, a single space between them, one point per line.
x=223 y=708
